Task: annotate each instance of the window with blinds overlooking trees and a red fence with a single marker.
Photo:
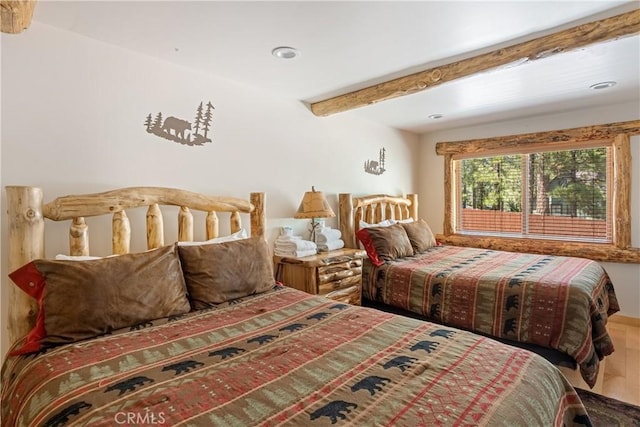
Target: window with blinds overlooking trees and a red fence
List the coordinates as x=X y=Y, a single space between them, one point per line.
x=561 y=195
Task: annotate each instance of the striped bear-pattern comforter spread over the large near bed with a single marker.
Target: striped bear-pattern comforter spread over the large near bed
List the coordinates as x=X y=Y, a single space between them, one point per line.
x=287 y=358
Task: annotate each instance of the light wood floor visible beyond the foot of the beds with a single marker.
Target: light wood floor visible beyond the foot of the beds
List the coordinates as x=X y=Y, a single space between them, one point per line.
x=620 y=378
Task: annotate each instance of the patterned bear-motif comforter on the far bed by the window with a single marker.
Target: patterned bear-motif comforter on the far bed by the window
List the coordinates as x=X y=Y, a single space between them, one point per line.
x=555 y=302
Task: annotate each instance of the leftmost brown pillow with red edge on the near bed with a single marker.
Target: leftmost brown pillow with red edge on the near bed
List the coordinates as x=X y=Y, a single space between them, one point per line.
x=80 y=300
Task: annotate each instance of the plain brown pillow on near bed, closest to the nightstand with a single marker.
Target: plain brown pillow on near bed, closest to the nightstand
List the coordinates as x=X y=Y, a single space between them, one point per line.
x=216 y=273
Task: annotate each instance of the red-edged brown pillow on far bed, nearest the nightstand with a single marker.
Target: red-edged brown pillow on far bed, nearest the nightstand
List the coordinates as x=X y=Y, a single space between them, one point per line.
x=385 y=243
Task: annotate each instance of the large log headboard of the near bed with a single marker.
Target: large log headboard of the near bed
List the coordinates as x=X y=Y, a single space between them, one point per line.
x=26 y=224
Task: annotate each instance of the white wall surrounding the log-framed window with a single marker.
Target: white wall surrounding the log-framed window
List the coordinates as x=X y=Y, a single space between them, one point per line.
x=625 y=277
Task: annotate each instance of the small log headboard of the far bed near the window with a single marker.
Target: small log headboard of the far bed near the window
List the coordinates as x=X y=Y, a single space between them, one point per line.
x=372 y=209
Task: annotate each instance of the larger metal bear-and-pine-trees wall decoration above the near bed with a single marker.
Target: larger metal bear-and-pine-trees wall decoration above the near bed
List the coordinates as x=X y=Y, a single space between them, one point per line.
x=175 y=129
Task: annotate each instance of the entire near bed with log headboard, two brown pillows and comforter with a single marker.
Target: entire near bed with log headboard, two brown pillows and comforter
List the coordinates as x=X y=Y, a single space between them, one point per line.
x=243 y=350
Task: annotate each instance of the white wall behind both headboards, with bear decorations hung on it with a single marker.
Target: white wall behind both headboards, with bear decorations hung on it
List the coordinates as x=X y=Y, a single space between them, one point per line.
x=73 y=113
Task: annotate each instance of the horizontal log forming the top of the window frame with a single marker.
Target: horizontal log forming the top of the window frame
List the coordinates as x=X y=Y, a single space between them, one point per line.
x=551 y=139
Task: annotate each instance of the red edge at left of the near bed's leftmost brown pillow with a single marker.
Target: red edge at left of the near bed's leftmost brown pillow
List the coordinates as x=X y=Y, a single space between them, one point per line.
x=29 y=279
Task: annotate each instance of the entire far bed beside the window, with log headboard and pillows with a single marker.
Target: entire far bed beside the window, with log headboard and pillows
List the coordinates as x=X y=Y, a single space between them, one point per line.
x=543 y=302
